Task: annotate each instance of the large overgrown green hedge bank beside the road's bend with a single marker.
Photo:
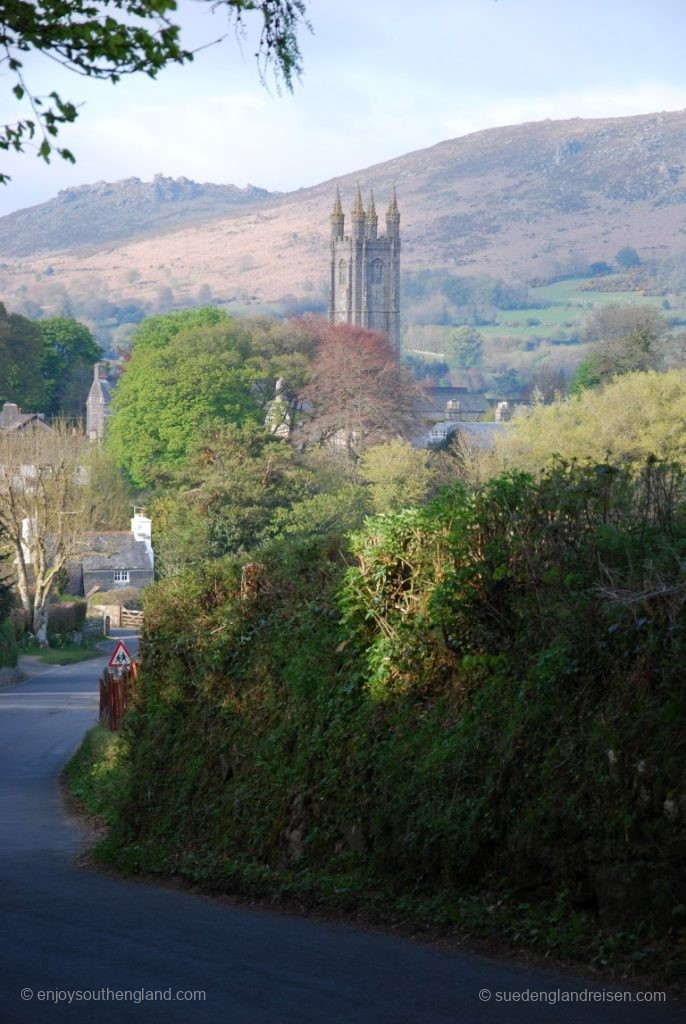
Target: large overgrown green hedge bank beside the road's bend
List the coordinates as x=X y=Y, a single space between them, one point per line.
x=501 y=709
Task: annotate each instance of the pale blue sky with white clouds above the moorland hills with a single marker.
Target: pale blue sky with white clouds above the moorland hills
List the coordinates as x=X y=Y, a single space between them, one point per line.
x=381 y=78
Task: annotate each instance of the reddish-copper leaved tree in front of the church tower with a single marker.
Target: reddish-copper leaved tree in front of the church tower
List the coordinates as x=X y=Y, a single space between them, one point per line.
x=357 y=395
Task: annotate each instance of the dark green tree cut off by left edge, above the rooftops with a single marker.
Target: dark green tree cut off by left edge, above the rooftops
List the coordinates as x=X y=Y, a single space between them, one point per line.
x=21 y=356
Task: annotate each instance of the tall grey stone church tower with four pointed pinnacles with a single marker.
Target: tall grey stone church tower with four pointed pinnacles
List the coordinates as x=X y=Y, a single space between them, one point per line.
x=366 y=269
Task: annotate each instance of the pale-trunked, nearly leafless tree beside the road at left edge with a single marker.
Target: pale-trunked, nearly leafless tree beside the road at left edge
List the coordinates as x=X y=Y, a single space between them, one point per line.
x=48 y=506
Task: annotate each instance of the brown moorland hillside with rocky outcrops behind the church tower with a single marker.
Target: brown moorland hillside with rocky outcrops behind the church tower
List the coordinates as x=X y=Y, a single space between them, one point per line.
x=528 y=202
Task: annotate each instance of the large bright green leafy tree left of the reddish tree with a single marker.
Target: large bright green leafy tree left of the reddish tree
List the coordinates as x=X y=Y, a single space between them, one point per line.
x=191 y=372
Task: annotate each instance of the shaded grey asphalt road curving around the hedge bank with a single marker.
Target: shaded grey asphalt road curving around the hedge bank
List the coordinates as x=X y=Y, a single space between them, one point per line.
x=69 y=933
